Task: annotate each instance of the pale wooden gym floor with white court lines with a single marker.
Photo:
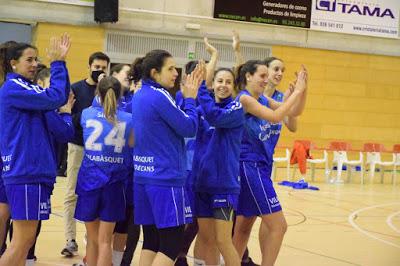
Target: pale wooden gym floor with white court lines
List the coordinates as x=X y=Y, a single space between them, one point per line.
x=346 y=224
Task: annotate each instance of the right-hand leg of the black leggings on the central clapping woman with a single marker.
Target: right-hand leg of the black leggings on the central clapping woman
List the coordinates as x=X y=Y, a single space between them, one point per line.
x=171 y=240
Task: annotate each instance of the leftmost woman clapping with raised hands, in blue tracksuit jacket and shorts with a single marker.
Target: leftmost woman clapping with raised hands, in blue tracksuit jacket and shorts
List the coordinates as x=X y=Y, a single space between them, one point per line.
x=28 y=179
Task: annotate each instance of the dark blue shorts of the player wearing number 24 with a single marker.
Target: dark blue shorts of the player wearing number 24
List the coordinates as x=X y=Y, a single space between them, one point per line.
x=106 y=204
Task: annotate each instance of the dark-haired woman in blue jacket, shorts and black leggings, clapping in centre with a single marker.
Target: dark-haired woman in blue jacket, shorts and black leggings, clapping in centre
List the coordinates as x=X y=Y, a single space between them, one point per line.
x=160 y=200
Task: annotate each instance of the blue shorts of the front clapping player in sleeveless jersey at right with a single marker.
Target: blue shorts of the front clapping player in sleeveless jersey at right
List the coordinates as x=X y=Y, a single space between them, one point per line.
x=257 y=194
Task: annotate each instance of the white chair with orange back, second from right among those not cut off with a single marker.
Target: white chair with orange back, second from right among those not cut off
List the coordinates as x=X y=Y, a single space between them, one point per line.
x=340 y=158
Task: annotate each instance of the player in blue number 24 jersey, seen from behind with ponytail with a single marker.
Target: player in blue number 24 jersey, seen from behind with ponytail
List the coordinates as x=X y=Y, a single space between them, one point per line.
x=106 y=165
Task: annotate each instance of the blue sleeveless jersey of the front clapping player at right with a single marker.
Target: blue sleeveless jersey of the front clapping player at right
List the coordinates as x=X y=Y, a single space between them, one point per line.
x=255 y=145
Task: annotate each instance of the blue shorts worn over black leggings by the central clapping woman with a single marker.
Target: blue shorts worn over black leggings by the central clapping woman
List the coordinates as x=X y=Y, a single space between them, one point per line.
x=162 y=206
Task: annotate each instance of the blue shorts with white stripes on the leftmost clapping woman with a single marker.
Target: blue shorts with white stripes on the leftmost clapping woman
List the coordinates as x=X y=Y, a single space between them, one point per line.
x=29 y=201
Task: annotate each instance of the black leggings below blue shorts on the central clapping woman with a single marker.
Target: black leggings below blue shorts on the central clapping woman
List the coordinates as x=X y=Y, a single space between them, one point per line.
x=166 y=240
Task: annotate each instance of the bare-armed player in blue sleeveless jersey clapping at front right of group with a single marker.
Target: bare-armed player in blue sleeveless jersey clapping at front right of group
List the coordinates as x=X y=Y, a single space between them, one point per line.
x=257 y=196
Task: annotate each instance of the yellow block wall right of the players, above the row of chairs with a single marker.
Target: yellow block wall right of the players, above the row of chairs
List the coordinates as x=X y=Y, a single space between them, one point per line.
x=354 y=97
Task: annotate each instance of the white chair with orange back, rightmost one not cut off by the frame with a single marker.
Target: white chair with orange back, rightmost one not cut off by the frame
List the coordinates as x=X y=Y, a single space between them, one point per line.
x=373 y=151
